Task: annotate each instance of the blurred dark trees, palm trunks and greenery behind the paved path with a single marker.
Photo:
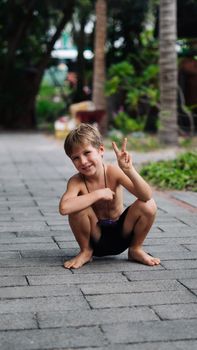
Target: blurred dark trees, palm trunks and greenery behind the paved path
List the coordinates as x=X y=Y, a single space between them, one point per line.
x=132 y=69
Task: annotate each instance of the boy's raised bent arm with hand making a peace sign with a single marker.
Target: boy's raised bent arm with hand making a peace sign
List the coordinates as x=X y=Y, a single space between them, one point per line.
x=138 y=186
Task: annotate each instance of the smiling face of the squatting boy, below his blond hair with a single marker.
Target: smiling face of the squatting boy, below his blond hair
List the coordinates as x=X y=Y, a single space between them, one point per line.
x=87 y=158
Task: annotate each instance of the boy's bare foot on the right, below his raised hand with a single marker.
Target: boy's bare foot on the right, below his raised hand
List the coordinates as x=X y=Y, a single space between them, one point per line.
x=141 y=256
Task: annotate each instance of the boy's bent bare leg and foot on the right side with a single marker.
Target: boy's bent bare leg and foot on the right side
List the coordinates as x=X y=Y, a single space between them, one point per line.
x=140 y=216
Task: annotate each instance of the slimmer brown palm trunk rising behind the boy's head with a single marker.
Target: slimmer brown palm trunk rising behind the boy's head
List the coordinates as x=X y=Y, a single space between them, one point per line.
x=99 y=59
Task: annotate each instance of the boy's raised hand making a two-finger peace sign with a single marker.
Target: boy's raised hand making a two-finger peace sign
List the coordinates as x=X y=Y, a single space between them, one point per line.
x=123 y=157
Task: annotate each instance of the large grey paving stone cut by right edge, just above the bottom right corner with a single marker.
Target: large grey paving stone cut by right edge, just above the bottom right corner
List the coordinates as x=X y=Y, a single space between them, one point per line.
x=152 y=331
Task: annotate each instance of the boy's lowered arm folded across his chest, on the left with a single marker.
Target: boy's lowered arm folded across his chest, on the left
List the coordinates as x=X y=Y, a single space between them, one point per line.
x=72 y=201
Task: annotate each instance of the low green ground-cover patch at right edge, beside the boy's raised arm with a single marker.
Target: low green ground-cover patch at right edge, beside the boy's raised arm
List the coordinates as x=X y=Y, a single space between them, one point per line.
x=179 y=174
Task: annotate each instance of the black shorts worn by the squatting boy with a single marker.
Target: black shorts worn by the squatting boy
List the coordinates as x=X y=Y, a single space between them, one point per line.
x=112 y=240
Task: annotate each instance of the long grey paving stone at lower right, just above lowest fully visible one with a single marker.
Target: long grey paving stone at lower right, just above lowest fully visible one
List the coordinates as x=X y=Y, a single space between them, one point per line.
x=139 y=299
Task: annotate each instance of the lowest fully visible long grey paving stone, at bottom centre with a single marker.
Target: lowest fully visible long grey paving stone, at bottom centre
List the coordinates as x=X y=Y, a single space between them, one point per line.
x=95 y=317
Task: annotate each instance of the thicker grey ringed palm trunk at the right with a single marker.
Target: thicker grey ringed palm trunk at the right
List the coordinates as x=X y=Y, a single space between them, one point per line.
x=168 y=131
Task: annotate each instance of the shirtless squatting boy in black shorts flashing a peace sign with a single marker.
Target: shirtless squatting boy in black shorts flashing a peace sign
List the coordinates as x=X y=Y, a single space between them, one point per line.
x=94 y=204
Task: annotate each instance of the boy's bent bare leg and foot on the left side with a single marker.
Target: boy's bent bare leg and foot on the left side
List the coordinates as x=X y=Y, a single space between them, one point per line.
x=82 y=223
